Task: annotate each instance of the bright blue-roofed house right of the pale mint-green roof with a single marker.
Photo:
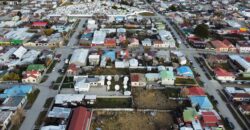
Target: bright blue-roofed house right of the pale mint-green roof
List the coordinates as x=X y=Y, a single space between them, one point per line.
x=185 y=71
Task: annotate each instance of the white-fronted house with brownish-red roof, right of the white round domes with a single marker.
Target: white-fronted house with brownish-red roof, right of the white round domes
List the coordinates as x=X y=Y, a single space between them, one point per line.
x=138 y=80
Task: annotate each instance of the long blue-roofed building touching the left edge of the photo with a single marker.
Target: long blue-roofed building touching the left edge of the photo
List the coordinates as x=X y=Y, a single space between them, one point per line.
x=17 y=90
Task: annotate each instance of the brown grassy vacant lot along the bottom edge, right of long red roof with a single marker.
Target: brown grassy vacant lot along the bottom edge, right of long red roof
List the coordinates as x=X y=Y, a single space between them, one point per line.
x=131 y=121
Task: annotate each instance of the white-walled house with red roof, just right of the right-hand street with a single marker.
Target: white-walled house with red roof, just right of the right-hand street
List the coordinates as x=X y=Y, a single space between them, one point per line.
x=223 y=75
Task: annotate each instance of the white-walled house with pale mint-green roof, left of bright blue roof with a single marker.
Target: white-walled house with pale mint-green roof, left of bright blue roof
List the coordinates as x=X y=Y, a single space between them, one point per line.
x=167 y=76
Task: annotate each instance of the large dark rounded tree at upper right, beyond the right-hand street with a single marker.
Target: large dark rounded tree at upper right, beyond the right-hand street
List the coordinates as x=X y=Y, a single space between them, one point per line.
x=201 y=31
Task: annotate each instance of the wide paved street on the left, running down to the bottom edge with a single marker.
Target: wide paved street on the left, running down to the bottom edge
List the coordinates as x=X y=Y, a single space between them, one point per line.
x=45 y=91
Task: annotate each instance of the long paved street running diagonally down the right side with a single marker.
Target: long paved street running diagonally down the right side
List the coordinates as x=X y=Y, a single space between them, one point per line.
x=212 y=85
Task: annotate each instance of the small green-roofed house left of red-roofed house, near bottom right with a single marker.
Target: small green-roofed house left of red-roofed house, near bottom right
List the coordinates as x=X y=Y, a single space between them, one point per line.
x=190 y=114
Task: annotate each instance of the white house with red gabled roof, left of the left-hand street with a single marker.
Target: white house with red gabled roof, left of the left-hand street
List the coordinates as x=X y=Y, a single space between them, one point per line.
x=32 y=76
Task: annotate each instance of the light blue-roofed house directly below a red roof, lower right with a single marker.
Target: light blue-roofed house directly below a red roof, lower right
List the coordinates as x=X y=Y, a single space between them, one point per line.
x=201 y=101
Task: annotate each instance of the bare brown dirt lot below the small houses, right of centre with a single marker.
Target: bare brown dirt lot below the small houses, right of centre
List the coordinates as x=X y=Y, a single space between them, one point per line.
x=153 y=99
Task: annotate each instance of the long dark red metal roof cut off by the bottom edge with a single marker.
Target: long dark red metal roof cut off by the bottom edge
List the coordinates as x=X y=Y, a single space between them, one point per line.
x=80 y=120
